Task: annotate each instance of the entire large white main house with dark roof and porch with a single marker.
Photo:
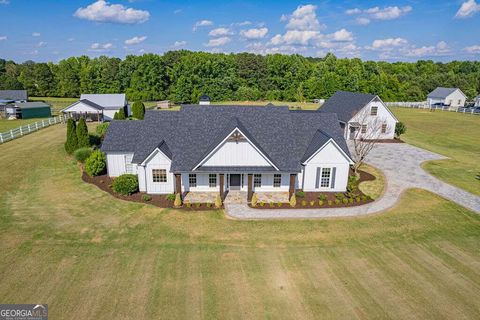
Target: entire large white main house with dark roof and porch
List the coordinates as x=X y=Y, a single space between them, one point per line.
x=222 y=148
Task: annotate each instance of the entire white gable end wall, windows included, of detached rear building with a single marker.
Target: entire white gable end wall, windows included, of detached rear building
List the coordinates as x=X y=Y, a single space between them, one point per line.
x=374 y=121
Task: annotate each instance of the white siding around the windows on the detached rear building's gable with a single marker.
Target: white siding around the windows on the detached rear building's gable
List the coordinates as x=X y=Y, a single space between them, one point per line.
x=383 y=117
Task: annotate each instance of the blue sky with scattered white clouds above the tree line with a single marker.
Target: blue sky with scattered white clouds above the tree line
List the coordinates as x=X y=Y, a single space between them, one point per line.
x=50 y=30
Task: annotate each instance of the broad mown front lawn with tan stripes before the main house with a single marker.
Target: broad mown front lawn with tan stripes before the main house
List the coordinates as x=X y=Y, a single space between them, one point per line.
x=90 y=256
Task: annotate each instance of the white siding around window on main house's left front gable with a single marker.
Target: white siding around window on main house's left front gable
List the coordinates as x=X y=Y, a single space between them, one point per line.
x=159 y=161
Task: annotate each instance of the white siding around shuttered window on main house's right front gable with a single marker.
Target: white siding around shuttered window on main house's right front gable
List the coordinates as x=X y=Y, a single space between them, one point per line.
x=328 y=157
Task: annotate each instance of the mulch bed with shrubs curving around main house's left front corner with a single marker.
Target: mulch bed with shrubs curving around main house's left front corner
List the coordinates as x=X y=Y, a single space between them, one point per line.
x=104 y=182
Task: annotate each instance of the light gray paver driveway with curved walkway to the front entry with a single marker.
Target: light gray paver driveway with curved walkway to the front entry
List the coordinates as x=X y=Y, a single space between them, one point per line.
x=400 y=163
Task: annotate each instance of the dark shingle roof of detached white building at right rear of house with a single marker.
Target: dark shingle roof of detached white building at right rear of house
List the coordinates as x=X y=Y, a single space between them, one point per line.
x=346 y=104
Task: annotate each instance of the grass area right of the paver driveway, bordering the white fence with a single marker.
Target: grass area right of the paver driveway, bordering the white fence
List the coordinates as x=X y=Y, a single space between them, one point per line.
x=454 y=135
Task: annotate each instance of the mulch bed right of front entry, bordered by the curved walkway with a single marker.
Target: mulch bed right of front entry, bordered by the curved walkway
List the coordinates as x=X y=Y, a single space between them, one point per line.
x=305 y=202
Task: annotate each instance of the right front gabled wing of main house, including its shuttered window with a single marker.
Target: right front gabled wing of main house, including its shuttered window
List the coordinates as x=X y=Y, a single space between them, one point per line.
x=326 y=170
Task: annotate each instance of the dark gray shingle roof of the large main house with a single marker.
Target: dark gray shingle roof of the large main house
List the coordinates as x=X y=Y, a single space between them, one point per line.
x=190 y=134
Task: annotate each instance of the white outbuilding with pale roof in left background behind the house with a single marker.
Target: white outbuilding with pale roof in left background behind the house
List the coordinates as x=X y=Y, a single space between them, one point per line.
x=98 y=107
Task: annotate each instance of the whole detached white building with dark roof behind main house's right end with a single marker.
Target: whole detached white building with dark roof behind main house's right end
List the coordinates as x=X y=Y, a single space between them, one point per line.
x=361 y=115
